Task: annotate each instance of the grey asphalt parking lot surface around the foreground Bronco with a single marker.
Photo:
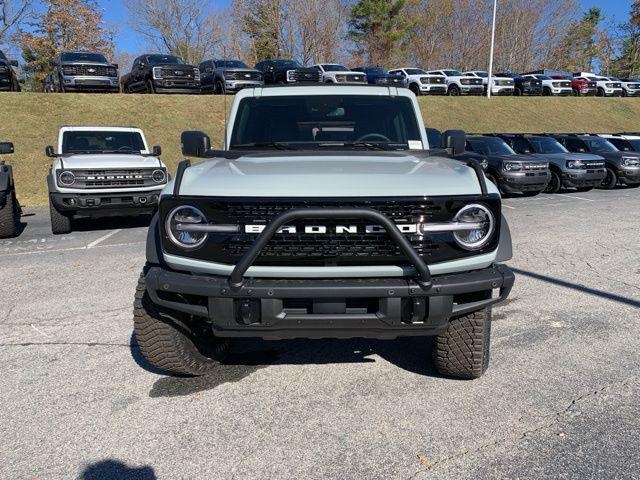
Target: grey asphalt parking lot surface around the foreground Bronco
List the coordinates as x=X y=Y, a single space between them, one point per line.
x=560 y=399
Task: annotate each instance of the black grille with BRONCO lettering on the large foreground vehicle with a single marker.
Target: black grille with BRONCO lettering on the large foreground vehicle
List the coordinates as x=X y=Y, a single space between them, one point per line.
x=365 y=245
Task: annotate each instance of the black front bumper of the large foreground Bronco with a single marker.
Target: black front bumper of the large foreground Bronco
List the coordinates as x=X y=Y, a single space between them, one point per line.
x=328 y=308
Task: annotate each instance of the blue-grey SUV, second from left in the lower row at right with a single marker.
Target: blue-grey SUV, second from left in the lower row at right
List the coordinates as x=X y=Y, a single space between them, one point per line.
x=582 y=171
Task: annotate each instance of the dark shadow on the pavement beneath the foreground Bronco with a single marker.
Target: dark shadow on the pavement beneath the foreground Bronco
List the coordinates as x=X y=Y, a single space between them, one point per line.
x=250 y=355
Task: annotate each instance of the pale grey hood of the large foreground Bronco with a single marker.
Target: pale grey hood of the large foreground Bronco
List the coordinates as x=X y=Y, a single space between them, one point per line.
x=330 y=174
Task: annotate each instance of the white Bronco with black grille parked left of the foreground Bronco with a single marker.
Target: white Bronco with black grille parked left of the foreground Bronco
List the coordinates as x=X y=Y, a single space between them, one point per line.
x=102 y=171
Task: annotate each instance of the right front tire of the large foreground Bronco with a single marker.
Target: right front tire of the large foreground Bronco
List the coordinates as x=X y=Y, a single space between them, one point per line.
x=462 y=351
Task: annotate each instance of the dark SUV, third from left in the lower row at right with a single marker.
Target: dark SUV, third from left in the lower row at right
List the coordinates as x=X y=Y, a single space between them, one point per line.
x=622 y=167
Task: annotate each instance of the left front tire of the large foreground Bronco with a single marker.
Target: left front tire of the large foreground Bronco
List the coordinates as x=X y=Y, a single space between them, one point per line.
x=175 y=342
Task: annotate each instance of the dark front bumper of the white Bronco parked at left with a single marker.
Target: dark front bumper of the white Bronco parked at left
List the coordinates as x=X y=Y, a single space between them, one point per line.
x=140 y=201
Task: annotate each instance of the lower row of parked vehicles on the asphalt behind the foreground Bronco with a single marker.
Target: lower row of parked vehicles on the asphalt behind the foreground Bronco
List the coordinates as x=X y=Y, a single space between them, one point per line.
x=112 y=170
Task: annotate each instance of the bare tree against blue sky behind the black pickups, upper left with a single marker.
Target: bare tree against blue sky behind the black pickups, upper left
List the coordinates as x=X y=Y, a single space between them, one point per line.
x=187 y=28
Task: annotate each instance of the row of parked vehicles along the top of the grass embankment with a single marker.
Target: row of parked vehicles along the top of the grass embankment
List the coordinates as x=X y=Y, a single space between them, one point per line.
x=158 y=73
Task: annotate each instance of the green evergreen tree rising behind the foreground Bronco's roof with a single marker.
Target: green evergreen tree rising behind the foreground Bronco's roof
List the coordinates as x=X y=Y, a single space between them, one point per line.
x=377 y=27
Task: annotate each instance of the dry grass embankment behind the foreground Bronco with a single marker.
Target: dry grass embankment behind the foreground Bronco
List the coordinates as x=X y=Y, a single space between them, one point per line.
x=31 y=121
